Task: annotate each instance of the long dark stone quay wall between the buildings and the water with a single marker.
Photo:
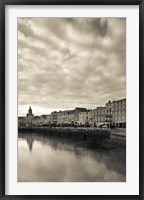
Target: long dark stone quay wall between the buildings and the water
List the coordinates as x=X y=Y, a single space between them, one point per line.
x=112 y=137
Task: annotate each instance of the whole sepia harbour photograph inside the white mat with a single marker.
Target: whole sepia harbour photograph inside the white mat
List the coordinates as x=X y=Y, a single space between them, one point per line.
x=71 y=99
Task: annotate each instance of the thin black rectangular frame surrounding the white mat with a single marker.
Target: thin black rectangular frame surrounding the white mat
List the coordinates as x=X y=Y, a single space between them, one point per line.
x=3 y=100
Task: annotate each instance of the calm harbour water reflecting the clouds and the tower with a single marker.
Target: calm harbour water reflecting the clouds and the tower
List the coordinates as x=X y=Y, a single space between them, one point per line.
x=43 y=158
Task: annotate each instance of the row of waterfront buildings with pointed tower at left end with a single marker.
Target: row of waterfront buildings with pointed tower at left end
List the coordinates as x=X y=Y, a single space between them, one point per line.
x=113 y=113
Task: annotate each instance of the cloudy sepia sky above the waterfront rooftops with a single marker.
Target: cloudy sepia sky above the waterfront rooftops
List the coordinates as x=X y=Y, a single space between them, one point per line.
x=65 y=63
